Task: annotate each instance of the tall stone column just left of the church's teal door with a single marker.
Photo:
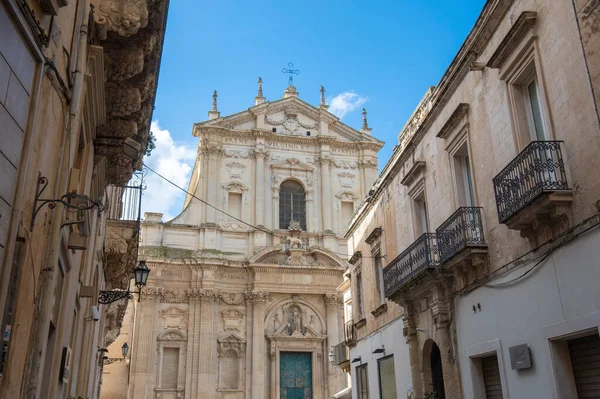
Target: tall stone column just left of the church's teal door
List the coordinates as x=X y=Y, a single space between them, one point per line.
x=259 y=362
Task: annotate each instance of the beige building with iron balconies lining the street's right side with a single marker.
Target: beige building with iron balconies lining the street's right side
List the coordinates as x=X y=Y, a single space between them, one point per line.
x=486 y=220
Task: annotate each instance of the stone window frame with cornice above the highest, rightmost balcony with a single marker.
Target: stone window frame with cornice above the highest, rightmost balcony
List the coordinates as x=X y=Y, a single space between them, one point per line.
x=518 y=60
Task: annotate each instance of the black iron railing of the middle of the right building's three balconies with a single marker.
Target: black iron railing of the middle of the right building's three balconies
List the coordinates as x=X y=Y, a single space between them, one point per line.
x=461 y=230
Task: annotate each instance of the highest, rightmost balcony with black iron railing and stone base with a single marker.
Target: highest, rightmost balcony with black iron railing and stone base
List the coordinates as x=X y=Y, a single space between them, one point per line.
x=532 y=192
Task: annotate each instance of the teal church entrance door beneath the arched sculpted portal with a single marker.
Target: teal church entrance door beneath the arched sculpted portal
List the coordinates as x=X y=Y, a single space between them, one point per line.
x=295 y=375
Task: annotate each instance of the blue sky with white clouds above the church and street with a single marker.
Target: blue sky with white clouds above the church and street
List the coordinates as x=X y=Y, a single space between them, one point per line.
x=382 y=55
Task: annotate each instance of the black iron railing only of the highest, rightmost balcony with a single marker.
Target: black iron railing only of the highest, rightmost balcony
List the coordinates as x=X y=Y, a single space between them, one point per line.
x=539 y=168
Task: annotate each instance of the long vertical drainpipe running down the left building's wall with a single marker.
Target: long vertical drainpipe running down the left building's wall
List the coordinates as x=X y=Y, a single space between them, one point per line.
x=49 y=273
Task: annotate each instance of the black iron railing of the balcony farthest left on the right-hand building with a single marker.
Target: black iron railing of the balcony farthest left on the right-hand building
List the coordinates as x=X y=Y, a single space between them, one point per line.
x=421 y=255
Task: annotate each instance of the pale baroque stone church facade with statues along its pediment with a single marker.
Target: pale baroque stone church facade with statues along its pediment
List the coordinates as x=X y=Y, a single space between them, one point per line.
x=241 y=301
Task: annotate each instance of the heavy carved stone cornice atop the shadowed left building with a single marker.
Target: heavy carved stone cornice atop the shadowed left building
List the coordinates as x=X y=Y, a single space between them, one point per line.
x=132 y=38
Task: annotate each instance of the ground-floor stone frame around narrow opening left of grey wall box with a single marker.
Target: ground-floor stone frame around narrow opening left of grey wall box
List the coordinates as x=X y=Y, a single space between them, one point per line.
x=475 y=353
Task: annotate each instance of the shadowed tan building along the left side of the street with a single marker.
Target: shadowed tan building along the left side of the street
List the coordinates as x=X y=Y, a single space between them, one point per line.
x=77 y=88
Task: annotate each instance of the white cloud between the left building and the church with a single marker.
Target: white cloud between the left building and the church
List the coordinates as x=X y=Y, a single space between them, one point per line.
x=173 y=161
